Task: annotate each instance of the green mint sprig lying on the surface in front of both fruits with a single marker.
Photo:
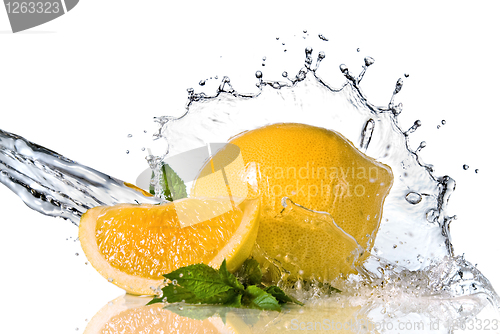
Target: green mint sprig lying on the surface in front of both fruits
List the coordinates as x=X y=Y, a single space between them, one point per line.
x=202 y=284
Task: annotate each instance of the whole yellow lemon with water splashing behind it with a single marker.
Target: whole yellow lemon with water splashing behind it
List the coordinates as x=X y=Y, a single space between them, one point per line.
x=315 y=168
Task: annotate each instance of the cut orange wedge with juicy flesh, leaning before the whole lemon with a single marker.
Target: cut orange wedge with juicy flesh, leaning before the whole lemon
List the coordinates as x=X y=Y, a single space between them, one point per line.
x=134 y=245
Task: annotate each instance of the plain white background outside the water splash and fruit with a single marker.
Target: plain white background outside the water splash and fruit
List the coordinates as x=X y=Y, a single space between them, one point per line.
x=80 y=84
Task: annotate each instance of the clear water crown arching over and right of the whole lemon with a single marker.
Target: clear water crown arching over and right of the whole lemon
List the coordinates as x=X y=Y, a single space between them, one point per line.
x=414 y=211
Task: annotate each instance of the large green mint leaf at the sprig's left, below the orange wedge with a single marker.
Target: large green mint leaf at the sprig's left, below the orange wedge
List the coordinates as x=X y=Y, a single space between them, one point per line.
x=198 y=283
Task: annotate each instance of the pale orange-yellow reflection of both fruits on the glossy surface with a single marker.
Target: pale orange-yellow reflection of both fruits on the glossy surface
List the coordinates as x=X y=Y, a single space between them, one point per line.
x=128 y=314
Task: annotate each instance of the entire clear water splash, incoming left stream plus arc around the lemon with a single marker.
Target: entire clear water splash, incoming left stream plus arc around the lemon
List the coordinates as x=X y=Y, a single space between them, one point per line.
x=412 y=247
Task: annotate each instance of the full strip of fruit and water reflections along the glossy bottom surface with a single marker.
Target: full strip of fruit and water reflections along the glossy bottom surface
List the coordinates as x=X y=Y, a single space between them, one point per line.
x=128 y=314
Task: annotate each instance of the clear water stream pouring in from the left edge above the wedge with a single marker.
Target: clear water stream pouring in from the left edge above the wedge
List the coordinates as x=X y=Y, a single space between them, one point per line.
x=55 y=185
